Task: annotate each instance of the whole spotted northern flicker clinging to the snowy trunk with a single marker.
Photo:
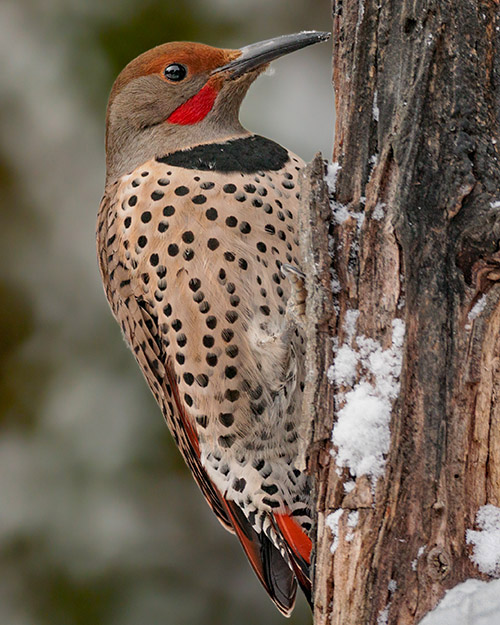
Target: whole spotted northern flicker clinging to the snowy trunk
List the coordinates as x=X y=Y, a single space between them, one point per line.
x=196 y=229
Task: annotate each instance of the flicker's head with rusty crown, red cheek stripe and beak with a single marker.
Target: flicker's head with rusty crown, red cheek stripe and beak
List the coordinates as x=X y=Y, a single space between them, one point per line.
x=182 y=94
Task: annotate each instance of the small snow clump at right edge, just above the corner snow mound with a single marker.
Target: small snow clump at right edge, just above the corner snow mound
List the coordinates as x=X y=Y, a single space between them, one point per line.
x=486 y=541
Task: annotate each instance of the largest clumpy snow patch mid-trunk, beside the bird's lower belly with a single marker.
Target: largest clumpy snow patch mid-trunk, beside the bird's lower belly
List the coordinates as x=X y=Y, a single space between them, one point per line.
x=361 y=433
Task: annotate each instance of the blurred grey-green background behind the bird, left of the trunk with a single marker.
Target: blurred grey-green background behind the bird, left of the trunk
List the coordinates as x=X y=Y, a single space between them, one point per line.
x=100 y=522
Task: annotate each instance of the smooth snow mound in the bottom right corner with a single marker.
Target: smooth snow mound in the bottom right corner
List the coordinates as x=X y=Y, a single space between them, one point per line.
x=473 y=602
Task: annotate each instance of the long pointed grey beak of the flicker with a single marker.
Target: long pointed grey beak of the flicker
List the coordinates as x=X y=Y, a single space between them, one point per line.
x=258 y=54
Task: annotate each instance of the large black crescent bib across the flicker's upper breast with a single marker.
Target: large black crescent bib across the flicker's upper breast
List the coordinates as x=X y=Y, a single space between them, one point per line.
x=247 y=155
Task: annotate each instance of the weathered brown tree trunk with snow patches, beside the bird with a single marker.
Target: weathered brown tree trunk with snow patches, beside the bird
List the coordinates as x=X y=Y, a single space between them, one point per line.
x=414 y=240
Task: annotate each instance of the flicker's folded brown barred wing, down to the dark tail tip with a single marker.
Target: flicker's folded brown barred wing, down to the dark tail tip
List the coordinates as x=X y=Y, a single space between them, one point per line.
x=141 y=332
